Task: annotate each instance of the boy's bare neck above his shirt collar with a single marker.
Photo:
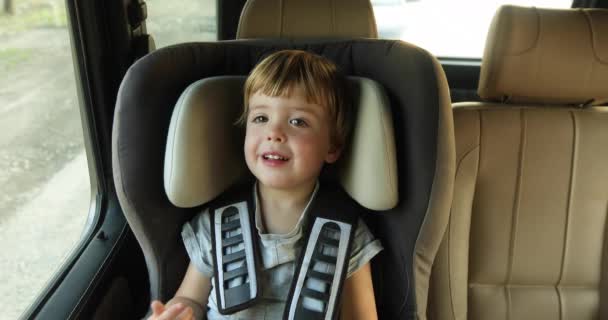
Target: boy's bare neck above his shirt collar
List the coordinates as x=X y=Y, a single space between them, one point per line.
x=281 y=209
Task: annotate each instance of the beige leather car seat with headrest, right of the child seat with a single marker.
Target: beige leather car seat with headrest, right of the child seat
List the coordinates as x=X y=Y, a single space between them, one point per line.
x=527 y=234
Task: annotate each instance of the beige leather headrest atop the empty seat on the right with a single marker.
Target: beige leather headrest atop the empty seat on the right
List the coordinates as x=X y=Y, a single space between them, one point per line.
x=546 y=56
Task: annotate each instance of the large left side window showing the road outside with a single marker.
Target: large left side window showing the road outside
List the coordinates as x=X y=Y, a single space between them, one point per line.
x=44 y=180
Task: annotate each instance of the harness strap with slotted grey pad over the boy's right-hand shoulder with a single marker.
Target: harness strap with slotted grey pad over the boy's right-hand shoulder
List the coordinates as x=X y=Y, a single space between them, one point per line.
x=322 y=267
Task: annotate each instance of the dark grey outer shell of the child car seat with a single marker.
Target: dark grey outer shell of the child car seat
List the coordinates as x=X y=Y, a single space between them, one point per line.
x=422 y=127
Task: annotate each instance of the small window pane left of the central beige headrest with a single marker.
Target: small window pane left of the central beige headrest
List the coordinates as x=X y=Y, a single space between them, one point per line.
x=171 y=22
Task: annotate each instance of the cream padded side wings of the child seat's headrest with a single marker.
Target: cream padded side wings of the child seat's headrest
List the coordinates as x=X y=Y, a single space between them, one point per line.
x=204 y=154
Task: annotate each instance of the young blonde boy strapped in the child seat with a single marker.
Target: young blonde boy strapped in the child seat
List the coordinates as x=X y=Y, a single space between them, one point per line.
x=296 y=121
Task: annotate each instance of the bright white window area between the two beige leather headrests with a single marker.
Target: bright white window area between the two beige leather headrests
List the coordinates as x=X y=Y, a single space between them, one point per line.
x=446 y=28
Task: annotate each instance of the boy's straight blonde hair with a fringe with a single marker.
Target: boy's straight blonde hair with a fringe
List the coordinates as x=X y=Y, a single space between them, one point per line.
x=317 y=76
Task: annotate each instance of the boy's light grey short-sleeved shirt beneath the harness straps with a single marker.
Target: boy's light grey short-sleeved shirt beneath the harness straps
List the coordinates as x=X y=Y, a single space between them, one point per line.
x=278 y=252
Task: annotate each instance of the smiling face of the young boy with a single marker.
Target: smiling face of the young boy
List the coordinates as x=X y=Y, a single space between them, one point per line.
x=287 y=140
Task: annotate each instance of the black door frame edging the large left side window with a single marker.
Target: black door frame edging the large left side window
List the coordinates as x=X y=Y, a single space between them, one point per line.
x=68 y=291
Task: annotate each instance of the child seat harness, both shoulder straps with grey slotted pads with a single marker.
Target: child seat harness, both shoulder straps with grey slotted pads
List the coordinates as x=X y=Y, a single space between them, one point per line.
x=321 y=267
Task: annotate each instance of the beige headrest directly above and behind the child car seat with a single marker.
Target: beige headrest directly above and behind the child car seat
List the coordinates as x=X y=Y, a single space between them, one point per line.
x=307 y=19
